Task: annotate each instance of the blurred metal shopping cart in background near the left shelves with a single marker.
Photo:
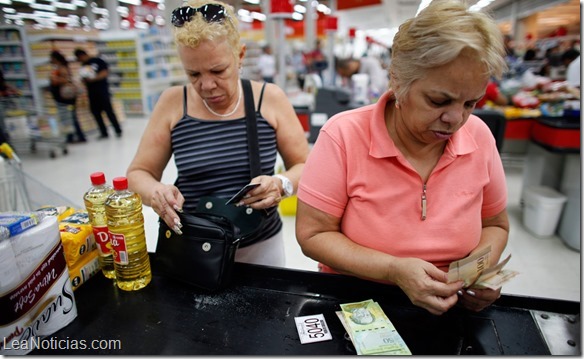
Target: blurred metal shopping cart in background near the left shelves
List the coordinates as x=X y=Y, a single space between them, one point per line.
x=30 y=131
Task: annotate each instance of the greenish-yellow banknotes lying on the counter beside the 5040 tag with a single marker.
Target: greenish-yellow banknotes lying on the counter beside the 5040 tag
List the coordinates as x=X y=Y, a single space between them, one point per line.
x=371 y=332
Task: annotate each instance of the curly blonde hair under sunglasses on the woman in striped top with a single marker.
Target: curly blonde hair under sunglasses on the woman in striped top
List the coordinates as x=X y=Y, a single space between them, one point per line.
x=198 y=30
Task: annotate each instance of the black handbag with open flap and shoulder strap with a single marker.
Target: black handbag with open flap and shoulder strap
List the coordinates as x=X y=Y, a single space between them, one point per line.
x=204 y=254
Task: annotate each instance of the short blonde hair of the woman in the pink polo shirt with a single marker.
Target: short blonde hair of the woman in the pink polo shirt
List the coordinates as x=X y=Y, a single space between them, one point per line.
x=438 y=35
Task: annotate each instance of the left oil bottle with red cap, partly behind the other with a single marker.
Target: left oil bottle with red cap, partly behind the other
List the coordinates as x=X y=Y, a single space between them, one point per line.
x=94 y=200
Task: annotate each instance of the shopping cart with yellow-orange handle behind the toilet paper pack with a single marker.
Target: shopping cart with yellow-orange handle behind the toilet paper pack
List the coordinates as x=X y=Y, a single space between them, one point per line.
x=21 y=192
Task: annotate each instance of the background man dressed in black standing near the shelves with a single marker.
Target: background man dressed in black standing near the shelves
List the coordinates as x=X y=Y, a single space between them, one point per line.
x=94 y=73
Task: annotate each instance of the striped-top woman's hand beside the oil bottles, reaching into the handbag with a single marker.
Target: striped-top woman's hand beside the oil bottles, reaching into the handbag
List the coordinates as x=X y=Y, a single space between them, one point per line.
x=166 y=200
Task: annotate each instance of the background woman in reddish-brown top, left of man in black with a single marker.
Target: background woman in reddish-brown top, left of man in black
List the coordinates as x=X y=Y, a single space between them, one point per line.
x=66 y=108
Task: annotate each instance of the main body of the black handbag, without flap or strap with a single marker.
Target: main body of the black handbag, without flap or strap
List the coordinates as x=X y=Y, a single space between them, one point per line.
x=203 y=255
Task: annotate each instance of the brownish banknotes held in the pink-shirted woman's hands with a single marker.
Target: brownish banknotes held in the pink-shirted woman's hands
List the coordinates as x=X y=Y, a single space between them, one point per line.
x=476 y=271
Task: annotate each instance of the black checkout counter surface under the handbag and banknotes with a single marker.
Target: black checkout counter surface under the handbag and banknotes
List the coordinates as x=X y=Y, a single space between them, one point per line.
x=255 y=315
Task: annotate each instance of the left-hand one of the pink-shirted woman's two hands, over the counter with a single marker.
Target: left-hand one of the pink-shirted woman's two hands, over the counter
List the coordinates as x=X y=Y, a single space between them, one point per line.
x=426 y=285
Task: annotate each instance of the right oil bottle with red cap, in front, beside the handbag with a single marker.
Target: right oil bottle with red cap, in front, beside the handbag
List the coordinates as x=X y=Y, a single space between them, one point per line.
x=125 y=223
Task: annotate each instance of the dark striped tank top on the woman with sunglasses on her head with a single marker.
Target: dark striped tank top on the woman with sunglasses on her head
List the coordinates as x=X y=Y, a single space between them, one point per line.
x=211 y=158
